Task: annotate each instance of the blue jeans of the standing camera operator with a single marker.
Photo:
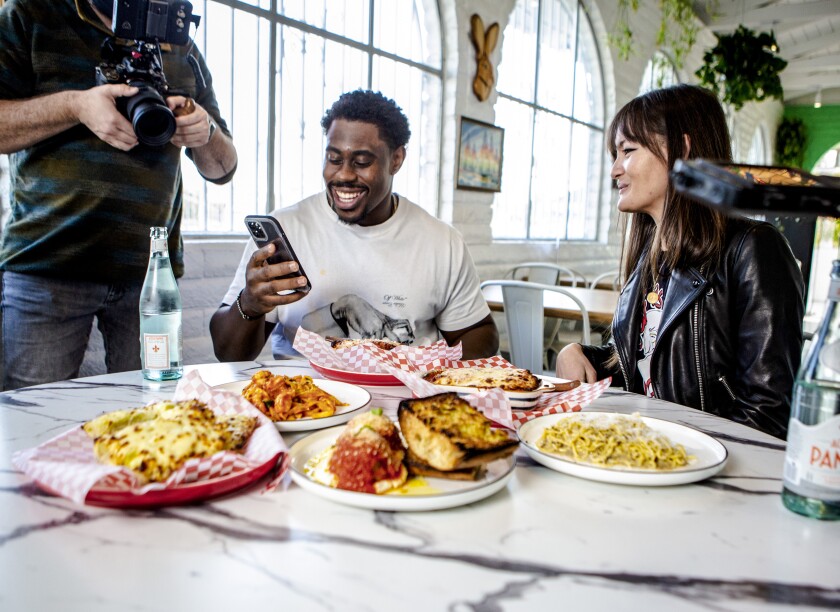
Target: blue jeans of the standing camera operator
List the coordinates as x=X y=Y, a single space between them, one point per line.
x=47 y=323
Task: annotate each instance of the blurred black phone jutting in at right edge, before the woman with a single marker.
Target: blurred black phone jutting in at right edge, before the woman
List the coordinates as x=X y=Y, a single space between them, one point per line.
x=758 y=189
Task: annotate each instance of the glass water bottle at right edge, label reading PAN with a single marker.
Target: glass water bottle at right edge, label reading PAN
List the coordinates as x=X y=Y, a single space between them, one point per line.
x=812 y=460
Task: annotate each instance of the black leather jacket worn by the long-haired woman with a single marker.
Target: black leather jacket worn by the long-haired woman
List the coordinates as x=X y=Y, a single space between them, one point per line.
x=728 y=343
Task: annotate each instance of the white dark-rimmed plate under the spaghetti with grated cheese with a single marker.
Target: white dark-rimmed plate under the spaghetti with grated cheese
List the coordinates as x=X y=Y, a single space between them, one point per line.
x=709 y=454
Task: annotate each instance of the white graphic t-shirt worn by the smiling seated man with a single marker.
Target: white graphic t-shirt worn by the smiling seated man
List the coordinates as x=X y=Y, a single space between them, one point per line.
x=403 y=279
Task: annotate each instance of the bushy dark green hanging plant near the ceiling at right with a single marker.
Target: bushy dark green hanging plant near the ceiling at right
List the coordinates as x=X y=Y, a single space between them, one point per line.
x=743 y=67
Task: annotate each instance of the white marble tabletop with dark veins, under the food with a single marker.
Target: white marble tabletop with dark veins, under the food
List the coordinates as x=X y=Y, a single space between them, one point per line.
x=546 y=542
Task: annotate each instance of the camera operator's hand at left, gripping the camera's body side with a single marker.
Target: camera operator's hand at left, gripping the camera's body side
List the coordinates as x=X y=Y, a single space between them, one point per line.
x=97 y=109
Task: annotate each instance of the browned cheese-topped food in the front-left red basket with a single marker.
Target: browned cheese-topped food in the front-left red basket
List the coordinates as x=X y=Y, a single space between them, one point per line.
x=156 y=440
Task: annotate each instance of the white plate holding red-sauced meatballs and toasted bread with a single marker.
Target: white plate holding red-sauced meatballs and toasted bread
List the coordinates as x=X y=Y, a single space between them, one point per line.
x=445 y=494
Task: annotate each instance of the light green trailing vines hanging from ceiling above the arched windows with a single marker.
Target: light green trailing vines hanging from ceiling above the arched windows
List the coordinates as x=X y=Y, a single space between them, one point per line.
x=677 y=32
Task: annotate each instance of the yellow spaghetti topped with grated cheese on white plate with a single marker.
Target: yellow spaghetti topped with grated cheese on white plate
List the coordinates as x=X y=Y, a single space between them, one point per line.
x=615 y=441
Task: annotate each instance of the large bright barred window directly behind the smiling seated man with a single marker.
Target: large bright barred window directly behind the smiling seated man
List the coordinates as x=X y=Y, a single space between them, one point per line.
x=278 y=65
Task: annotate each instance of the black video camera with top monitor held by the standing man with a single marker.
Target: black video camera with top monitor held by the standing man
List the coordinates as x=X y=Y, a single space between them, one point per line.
x=145 y=24
